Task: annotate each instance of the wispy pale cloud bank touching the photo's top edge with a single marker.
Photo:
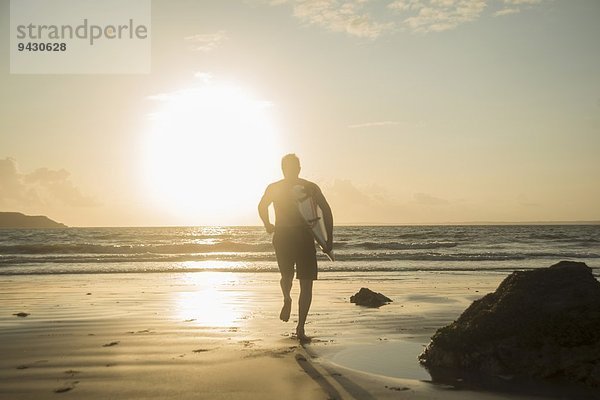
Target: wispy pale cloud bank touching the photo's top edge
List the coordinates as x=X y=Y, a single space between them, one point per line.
x=354 y=17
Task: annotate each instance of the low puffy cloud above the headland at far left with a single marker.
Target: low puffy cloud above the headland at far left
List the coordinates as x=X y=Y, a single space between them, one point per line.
x=38 y=189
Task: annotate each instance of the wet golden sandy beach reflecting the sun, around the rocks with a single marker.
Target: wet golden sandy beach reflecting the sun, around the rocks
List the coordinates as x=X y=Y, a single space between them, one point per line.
x=216 y=335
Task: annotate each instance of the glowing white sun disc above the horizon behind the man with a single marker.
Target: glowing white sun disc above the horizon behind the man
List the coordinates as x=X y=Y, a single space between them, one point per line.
x=208 y=152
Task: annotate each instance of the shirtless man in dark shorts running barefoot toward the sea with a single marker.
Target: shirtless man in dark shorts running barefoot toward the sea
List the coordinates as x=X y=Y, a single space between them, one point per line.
x=293 y=240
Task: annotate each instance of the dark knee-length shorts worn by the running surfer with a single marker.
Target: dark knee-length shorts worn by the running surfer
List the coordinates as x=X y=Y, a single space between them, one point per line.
x=295 y=246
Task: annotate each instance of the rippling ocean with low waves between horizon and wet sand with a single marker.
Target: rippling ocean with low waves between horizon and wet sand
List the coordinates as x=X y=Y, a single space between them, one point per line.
x=482 y=248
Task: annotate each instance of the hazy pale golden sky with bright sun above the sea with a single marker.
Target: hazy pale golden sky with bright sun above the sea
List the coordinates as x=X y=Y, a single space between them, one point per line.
x=403 y=111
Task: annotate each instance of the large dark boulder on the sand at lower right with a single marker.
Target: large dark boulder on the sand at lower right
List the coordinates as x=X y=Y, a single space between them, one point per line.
x=540 y=324
